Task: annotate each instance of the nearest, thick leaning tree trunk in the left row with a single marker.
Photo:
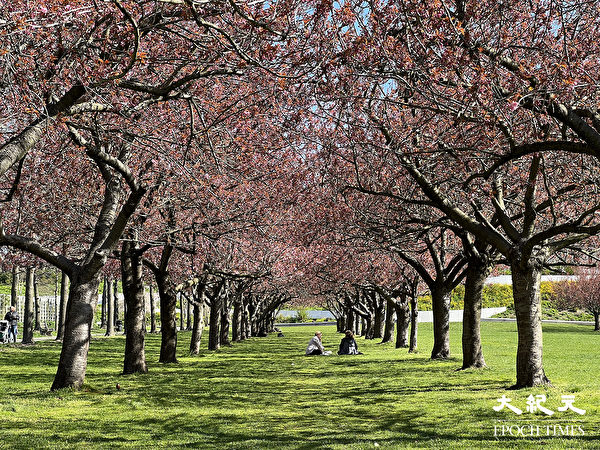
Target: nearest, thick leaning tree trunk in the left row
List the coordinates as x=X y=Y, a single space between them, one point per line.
x=83 y=297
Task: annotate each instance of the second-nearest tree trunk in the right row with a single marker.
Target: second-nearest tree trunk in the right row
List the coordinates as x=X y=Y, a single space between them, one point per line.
x=471 y=336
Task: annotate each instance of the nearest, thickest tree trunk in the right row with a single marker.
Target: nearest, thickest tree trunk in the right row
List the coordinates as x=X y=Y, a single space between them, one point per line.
x=526 y=294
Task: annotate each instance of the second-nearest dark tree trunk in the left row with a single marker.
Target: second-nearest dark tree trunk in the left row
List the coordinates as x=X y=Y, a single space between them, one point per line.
x=133 y=292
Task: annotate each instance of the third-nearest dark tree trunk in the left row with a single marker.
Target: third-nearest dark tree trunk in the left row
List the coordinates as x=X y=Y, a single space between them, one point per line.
x=168 y=318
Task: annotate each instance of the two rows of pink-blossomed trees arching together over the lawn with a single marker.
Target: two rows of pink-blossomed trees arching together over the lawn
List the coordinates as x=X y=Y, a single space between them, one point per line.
x=330 y=149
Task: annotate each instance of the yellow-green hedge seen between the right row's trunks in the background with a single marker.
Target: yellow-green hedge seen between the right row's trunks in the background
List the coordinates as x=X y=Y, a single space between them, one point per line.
x=494 y=296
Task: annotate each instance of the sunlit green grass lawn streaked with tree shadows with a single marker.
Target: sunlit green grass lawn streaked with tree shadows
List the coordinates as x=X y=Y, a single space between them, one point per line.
x=263 y=393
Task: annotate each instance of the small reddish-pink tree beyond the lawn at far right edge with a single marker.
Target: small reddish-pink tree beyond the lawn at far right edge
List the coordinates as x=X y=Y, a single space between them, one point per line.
x=583 y=293
